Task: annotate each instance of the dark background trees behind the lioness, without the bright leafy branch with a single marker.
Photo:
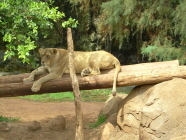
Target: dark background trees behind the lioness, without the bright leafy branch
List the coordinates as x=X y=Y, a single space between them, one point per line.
x=134 y=31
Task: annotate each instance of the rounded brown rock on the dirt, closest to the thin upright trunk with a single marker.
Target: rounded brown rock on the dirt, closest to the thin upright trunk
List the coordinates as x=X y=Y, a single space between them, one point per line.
x=57 y=123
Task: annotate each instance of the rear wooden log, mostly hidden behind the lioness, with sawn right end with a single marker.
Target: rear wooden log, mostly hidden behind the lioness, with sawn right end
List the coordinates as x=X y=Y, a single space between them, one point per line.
x=127 y=68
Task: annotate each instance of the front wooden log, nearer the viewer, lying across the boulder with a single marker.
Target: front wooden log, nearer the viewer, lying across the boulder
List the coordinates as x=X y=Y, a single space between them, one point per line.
x=150 y=76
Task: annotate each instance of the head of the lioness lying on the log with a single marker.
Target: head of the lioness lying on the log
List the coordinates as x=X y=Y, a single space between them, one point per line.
x=47 y=56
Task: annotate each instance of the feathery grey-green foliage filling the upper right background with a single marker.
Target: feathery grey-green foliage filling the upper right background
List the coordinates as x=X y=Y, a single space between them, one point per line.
x=163 y=22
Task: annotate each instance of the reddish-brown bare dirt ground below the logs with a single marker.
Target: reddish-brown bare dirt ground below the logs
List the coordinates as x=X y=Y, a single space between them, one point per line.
x=43 y=112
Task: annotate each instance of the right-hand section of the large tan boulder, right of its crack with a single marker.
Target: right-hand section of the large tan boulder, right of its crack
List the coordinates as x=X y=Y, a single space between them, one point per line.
x=163 y=115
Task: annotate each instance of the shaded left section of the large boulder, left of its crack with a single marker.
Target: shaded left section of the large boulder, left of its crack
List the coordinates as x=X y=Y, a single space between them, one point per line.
x=129 y=114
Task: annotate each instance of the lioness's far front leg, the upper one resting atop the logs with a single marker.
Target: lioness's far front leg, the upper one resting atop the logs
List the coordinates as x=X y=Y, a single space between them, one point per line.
x=38 y=71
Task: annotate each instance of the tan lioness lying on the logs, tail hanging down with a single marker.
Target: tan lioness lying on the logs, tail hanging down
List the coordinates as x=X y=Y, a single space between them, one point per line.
x=55 y=62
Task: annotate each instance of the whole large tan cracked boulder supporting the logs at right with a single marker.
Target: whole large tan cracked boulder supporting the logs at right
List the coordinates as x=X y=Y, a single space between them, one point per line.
x=155 y=112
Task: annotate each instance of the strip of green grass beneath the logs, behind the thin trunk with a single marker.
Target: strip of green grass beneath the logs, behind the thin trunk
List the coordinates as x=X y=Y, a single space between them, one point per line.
x=97 y=95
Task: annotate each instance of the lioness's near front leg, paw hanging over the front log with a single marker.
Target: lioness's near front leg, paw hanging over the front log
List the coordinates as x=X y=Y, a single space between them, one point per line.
x=37 y=85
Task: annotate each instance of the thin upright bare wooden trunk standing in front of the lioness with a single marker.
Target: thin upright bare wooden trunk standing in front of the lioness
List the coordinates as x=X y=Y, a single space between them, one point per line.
x=75 y=85
